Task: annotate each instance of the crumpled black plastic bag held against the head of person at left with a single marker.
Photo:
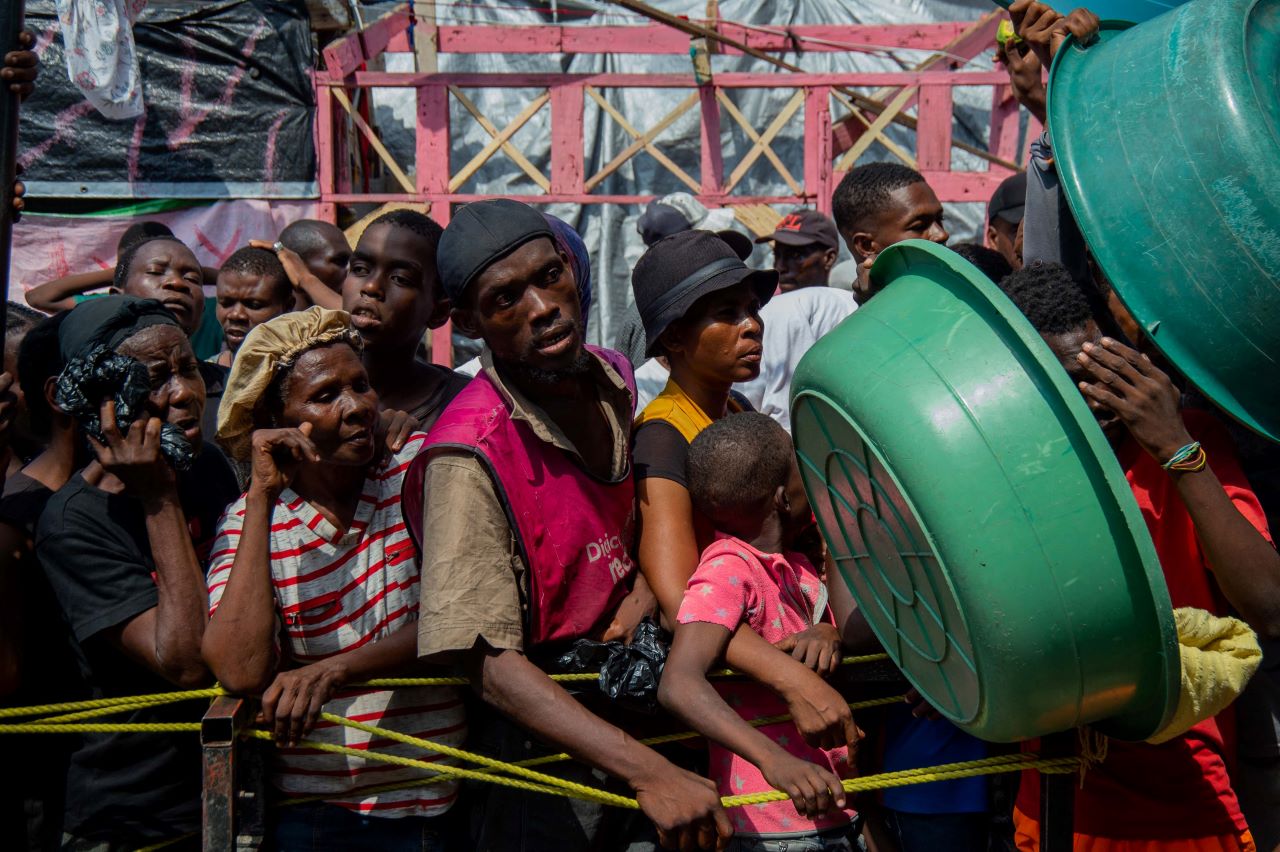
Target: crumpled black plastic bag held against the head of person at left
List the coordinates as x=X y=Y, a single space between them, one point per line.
x=88 y=383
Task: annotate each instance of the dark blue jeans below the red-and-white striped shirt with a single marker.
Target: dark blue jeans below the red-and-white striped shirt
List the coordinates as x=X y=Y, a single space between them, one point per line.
x=317 y=827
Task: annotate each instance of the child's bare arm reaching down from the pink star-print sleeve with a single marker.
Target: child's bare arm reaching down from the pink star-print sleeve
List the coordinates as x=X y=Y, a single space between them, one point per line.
x=687 y=693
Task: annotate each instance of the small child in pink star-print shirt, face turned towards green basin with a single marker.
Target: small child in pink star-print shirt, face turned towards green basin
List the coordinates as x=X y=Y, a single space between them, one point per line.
x=743 y=477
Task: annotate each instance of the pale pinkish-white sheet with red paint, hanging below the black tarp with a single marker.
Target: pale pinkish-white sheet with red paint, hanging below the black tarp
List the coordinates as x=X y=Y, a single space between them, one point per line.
x=49 y=248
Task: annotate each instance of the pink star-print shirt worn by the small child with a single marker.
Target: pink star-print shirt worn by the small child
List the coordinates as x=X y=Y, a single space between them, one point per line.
x=776 y=596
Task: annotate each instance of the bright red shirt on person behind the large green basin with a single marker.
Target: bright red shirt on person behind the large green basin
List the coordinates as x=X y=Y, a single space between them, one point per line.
x=1181 y=789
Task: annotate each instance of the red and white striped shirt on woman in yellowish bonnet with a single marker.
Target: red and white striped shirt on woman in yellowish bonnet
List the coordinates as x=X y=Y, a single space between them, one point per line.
x=337 y=592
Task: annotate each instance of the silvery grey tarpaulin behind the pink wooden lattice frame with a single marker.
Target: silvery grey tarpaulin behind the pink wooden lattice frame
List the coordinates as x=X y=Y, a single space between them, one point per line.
x=610 y=230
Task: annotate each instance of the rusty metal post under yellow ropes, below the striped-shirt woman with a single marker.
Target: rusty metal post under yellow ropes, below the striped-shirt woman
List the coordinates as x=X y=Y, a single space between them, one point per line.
x=234 y=798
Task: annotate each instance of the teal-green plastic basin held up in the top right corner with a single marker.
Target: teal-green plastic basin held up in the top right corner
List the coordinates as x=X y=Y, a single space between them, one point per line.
x=1168 y=141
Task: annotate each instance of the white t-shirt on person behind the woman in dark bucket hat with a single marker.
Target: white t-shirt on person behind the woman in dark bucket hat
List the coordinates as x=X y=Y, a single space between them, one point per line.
x=793 y=323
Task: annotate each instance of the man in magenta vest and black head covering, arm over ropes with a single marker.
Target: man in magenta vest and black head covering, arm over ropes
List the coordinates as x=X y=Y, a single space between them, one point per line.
x=528 y=529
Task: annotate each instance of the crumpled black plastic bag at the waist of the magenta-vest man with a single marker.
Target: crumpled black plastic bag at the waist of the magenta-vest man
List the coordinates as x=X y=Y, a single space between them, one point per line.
x=629 y=674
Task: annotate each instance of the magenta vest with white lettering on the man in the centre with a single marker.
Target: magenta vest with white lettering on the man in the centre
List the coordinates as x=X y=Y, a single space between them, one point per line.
x=575 y=532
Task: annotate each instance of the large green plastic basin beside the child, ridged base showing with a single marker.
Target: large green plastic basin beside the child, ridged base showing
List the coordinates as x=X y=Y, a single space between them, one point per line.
x=977 y=514
